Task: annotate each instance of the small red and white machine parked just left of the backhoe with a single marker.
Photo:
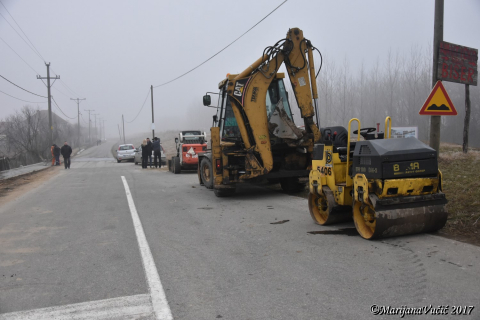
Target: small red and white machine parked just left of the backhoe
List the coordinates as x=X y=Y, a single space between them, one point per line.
x=189 y=143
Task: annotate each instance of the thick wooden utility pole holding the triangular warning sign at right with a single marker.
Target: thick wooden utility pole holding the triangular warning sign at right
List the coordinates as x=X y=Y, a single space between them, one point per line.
x=435 y=121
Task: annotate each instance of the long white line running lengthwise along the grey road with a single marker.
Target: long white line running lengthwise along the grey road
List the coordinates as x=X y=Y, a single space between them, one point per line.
x=157 y=294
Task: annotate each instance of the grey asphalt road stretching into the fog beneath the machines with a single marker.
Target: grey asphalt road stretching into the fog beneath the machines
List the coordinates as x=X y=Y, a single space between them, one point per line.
x=72 y=247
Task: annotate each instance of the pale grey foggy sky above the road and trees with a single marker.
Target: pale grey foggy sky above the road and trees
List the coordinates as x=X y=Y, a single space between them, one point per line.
x=110 y=52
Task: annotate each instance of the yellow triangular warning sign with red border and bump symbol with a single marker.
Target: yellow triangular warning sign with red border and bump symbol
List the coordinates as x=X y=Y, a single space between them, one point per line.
x=438 y=103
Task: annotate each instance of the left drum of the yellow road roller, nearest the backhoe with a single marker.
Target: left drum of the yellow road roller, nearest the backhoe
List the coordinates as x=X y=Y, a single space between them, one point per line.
x=324 y=210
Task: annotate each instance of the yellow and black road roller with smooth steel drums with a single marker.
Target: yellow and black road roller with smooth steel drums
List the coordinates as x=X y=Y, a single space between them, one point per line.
x=390 y=187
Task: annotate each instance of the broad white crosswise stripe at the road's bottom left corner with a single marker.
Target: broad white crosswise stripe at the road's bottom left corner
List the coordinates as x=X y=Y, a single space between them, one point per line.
x=132 y=307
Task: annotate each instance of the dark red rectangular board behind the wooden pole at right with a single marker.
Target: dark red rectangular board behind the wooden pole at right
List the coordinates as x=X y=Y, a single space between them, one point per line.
x=457 y=63
